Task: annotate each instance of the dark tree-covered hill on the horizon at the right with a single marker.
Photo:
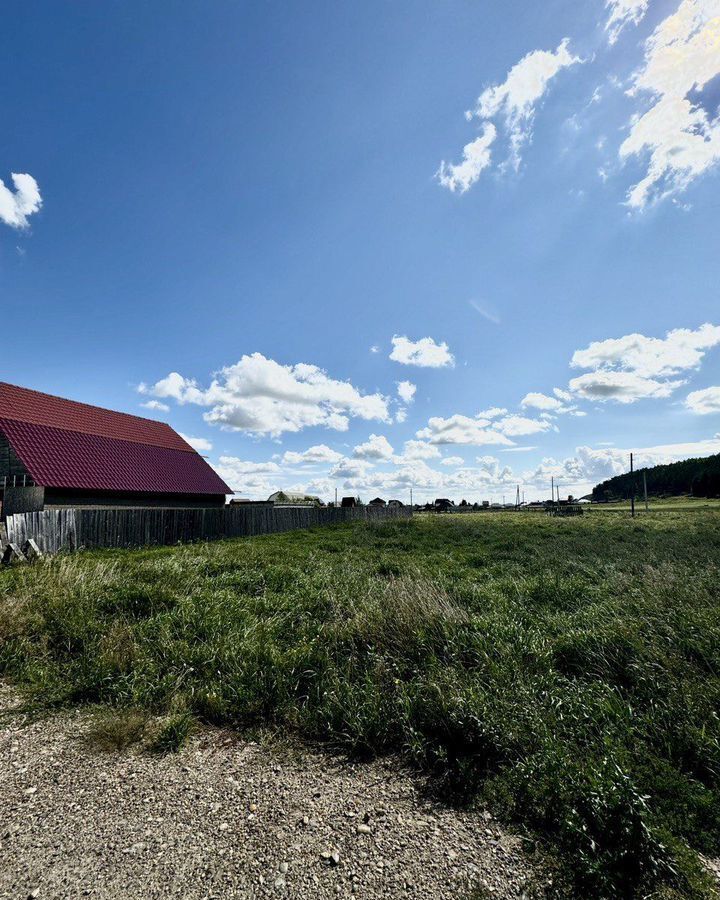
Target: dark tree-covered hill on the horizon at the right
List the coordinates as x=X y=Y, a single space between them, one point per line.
x=699 y=477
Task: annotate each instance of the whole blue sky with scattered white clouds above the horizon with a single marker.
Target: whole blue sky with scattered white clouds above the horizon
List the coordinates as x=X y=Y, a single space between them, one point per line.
x=459 y=246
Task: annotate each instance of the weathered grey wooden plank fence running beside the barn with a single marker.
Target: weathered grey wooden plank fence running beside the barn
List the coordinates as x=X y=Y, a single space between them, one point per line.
x=71 y=529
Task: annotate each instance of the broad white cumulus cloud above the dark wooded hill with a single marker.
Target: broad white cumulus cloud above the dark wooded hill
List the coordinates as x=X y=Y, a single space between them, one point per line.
x=635 y=367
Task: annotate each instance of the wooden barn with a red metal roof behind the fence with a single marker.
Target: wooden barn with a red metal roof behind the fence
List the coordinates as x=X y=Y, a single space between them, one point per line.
x=56 y=452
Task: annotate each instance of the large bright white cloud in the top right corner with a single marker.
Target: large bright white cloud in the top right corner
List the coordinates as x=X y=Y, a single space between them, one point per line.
x=682 y=138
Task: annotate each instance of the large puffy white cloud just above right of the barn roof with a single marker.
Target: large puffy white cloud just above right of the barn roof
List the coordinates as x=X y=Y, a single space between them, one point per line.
x=263 y=397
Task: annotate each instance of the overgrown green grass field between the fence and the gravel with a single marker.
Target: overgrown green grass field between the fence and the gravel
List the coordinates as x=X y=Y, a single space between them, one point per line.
x=565 y=672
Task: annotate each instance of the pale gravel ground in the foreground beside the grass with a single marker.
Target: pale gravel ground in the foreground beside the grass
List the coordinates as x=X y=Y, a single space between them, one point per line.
x=229 y=818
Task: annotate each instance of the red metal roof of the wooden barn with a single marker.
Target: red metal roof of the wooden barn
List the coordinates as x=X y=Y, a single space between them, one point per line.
x=64 y=444
